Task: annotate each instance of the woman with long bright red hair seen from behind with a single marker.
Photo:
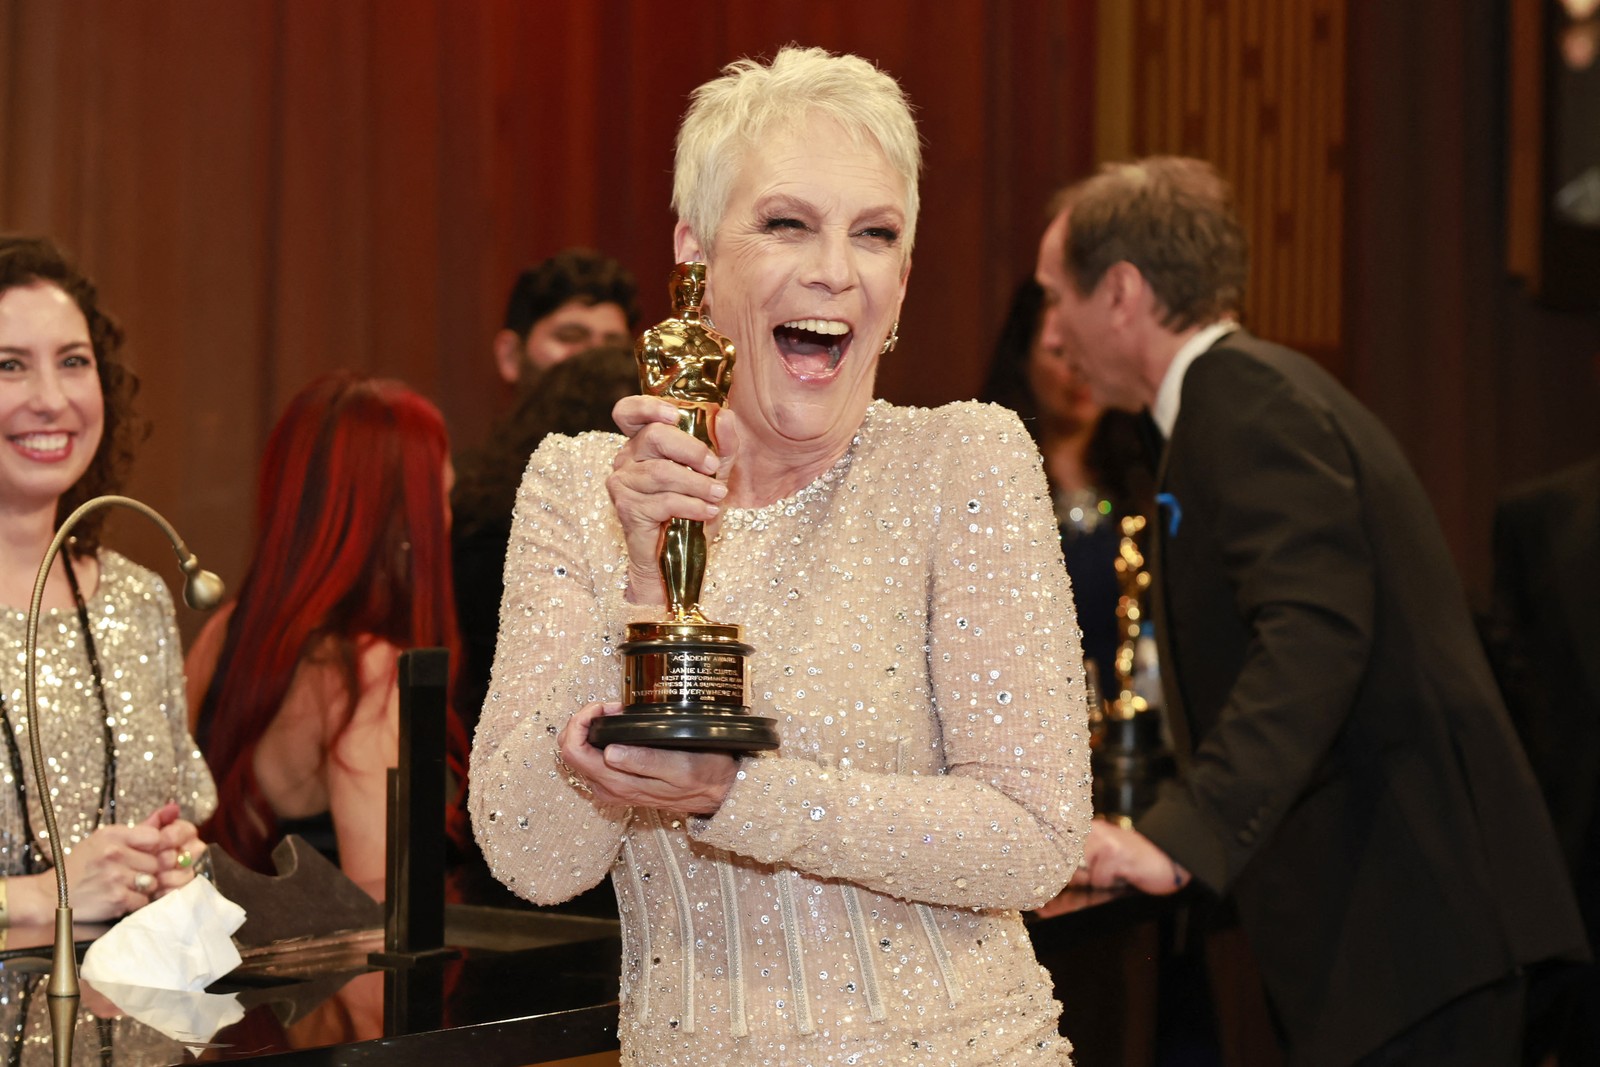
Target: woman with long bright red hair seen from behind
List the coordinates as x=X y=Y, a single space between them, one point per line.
x=300 y=717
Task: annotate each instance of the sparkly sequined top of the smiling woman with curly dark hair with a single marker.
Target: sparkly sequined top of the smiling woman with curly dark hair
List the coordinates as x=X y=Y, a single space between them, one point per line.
x=142 y=661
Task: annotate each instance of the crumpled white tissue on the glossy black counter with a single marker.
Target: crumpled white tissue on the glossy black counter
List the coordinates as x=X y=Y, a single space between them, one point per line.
x=182 y=941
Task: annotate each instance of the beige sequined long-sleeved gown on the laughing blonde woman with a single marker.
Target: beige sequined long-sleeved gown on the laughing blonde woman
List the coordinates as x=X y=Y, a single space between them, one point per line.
x=855 y=900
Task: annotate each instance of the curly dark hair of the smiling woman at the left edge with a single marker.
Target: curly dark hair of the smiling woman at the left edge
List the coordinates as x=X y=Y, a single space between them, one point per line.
x=33 y=260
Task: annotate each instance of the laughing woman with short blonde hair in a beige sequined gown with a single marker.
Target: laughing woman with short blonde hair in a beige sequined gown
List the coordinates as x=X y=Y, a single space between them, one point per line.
x=854 y=897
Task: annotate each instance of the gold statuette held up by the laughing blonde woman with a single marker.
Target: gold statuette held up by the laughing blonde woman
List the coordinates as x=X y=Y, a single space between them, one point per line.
x=684 y=677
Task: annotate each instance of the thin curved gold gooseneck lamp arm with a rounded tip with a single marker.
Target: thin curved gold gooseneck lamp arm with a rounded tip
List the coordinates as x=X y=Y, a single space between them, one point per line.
x=202 y=591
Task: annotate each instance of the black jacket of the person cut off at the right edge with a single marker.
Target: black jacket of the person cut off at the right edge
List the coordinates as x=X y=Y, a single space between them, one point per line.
x=1546 y=629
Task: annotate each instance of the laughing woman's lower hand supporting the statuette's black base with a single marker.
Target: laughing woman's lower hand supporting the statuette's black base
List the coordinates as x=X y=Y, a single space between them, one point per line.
x=636 y=777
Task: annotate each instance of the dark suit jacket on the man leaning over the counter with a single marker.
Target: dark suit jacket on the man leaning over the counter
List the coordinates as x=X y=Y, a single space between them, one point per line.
x=1348 y=770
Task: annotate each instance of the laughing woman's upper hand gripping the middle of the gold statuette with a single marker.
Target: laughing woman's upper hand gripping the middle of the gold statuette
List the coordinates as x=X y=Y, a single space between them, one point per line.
x=662 y=473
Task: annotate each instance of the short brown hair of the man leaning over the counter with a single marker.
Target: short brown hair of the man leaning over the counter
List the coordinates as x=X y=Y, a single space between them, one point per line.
x=1172 y=218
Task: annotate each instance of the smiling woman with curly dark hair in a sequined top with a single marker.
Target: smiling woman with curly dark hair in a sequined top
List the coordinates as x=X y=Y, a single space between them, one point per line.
x=70 y=430
